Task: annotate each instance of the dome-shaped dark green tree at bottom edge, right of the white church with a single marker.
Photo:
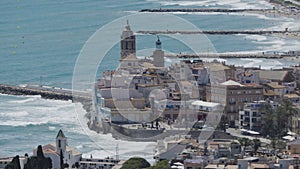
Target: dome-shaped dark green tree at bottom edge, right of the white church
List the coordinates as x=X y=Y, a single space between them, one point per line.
x=135 y=163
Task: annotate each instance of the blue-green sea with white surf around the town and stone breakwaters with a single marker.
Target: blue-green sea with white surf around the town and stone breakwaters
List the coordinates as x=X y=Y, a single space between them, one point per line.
x=40 y=41
